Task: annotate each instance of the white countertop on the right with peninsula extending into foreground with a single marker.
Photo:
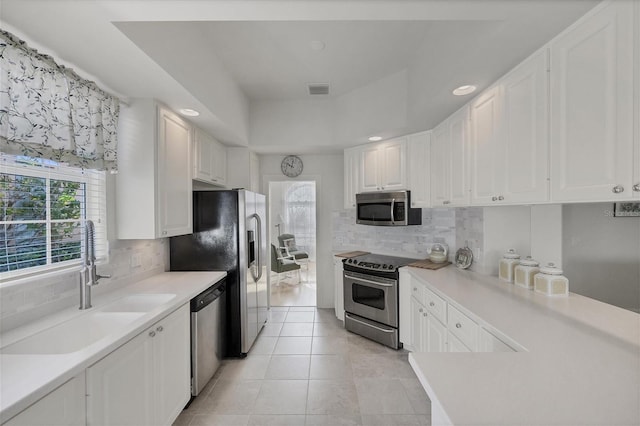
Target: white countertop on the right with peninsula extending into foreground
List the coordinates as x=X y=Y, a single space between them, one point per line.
x=582 y=364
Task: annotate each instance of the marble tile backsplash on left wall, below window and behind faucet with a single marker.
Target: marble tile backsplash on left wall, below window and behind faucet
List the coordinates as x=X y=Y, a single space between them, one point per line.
x=129 y=261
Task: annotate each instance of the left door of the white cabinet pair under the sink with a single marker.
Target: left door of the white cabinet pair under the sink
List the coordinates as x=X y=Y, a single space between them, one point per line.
x=120 y=386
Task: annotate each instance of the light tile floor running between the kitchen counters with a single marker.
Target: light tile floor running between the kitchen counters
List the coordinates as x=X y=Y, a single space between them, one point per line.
x=306 y=369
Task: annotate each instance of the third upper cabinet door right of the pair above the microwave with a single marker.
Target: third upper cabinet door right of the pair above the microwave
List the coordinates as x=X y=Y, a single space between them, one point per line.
x=458 y=158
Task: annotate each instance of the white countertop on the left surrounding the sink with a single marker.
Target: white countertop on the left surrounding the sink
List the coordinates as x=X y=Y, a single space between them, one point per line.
x=26 y=378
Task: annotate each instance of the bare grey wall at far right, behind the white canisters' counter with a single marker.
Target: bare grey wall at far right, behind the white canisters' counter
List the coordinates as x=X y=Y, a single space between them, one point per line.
x=602 y=254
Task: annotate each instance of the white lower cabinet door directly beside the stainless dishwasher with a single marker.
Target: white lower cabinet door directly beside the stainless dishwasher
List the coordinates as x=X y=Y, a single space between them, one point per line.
x=172 y=365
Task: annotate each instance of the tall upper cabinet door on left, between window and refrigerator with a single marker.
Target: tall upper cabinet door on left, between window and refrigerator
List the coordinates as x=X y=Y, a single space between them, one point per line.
x=174 y=175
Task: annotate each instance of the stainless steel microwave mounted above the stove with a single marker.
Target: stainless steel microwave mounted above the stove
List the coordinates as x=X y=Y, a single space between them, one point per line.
x=387 y=208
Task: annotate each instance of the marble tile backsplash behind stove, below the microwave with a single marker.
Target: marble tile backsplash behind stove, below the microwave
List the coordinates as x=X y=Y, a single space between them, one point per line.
x=453 y=226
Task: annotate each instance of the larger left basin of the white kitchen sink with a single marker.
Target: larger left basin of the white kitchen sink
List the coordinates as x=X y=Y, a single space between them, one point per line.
x=73 y=335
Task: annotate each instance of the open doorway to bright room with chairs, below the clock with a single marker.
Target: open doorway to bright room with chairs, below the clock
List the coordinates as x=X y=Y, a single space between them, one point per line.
x=292 y=227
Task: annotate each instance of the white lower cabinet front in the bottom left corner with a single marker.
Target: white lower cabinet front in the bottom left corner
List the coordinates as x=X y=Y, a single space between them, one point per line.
x=63 y=406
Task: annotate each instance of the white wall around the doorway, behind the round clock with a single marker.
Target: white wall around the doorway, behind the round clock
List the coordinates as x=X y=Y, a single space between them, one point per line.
x=327 y=172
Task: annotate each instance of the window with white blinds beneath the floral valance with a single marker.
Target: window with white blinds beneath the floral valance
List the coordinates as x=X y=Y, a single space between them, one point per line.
x=43 y=208
